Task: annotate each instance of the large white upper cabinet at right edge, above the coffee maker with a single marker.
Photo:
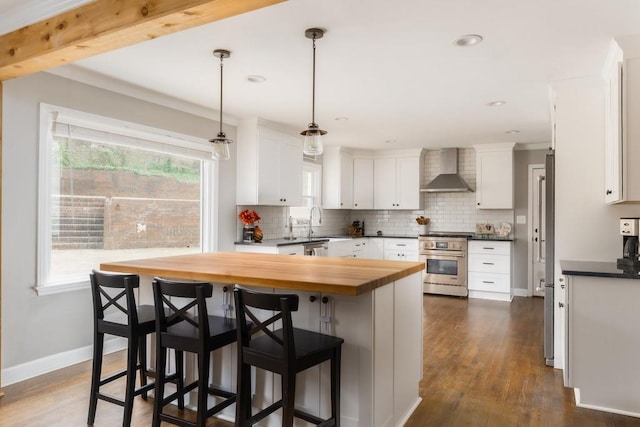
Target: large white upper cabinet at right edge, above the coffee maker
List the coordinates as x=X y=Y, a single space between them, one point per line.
x=621 y=74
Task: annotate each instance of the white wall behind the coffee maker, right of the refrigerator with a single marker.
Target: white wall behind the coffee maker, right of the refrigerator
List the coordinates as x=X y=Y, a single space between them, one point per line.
x=586 y=227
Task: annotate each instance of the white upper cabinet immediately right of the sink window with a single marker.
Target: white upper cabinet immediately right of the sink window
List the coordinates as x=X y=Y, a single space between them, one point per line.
x=337 y=178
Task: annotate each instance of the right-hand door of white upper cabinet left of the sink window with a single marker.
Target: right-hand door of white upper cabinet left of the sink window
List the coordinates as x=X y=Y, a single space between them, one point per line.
x=290 y=174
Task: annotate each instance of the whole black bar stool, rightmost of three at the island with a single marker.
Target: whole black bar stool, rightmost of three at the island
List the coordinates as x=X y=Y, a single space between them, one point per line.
x=285 y=351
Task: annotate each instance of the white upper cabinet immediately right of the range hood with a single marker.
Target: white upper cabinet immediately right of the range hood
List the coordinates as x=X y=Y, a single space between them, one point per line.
x=494 y=176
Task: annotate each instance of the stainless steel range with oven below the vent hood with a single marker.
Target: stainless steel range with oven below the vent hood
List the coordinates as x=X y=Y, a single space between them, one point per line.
x=445 y=259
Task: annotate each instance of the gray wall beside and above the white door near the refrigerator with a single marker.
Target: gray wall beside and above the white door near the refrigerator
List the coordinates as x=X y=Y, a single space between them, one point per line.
x=522 y=160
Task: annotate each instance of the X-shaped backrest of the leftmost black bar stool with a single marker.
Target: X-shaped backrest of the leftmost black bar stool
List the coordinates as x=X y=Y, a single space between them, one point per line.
x=114 y=291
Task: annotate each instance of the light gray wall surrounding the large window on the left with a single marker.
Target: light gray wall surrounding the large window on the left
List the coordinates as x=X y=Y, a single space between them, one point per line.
x=34 y=327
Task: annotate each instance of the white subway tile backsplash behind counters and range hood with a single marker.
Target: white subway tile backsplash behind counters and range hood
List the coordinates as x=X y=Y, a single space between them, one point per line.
x=447 y=211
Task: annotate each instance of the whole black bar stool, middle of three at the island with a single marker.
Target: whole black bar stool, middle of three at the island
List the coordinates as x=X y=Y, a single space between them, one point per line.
x=201 y=334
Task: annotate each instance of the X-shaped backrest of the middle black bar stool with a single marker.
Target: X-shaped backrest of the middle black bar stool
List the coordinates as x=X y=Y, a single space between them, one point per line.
x=192 y=294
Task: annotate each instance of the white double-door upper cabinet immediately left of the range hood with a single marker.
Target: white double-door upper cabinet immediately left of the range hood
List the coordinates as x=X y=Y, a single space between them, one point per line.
x=396 y=179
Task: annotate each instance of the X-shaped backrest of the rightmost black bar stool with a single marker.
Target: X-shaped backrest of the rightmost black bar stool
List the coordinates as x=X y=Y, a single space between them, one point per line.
x=248 y=321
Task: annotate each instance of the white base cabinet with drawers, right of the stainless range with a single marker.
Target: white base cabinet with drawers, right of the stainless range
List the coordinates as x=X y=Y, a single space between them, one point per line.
x=489 y=270
